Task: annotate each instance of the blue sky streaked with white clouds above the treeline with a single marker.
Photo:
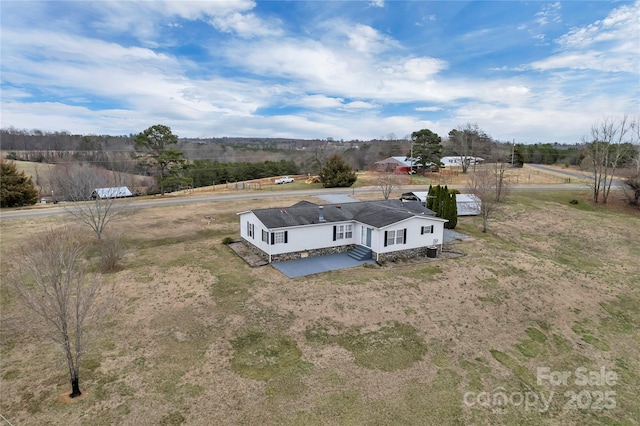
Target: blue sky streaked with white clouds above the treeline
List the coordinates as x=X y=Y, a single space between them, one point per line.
x=525 y=71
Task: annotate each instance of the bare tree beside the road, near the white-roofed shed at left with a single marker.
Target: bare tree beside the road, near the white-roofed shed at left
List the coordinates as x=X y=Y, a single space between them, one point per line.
x=78 y=183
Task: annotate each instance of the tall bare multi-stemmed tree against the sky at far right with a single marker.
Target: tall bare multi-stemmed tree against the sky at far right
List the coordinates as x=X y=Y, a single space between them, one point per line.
x=611 y=146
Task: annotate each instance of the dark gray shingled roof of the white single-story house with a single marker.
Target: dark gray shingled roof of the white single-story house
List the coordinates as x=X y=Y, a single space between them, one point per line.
x=375 y=213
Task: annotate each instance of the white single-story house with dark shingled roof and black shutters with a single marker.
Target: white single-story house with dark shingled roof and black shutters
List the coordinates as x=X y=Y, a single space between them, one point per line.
x=379 y=230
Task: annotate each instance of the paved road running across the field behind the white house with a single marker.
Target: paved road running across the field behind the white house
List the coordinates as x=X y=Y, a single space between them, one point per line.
x=141 y=203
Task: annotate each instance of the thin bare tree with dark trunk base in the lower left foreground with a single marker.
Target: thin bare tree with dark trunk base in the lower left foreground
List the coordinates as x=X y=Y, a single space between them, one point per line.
x=50 y=277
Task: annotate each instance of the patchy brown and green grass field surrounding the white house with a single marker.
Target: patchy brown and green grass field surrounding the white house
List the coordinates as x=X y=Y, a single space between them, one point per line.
x=201 y=338
